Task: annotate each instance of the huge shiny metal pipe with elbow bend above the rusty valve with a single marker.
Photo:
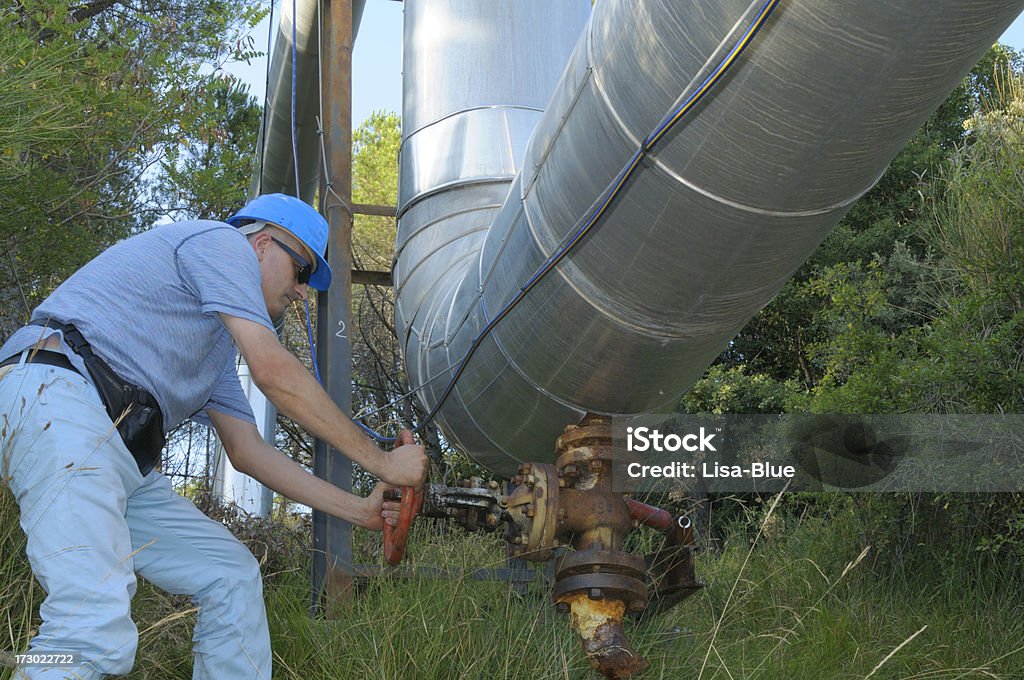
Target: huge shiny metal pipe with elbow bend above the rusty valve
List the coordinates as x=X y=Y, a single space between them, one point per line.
x=717 y=220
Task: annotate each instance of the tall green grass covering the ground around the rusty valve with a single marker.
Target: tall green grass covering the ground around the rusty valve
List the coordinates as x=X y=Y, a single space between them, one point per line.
x=799 y=602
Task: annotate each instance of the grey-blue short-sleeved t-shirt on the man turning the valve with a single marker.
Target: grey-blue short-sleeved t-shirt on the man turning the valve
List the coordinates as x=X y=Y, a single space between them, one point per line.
x=150 y=307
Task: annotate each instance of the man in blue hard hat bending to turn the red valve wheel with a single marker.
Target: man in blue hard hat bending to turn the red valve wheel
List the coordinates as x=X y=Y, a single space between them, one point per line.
x=165 y=311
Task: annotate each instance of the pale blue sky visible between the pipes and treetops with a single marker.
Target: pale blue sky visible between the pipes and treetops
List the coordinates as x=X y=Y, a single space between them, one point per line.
x=377 y=60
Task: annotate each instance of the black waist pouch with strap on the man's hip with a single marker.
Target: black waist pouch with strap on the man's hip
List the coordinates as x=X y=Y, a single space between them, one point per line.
x=136 y=413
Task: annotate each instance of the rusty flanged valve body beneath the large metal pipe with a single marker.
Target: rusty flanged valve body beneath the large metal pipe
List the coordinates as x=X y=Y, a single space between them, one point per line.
x=572 y=504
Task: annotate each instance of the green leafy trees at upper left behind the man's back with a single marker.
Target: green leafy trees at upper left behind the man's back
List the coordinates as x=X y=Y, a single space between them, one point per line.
x=112 y=88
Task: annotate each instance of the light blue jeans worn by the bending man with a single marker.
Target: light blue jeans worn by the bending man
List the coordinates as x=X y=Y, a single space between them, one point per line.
x=93 y=522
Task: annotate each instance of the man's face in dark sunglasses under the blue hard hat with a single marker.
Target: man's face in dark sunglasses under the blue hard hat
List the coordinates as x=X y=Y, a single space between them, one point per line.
x=281 y=270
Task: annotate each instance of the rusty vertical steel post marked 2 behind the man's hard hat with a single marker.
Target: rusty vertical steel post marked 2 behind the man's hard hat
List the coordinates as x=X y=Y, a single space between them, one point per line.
x=332 y=537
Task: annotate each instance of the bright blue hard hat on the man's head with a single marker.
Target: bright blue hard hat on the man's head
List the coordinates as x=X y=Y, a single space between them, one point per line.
x=297 y=218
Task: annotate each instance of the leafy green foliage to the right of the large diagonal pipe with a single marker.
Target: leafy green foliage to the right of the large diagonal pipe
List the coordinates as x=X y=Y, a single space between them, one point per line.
x=914 y=305
